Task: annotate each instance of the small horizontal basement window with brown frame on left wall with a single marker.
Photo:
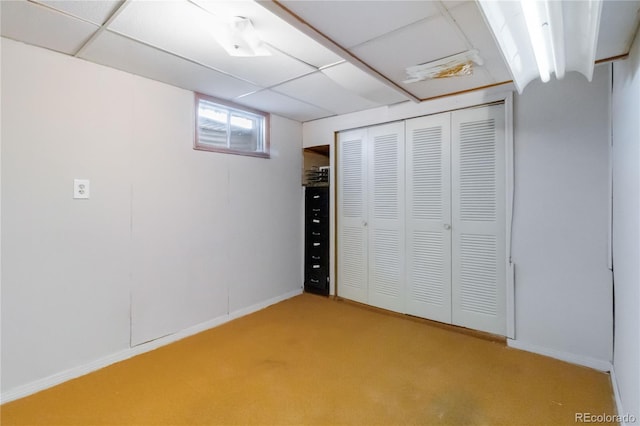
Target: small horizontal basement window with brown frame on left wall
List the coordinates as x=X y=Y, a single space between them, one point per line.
x=222 y=126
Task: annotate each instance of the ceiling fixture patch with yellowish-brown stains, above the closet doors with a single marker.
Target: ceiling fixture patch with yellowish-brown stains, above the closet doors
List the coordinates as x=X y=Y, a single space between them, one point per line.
x=455 y=65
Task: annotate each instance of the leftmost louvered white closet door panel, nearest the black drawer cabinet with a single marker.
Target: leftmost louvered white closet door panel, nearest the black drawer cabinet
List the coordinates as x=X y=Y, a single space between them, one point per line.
x=352 y=216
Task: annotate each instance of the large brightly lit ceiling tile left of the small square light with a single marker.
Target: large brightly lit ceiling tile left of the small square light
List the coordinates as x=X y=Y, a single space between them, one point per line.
x=182 y=28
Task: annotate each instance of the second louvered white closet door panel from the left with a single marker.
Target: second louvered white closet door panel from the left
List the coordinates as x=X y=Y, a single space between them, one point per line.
x=386 y=216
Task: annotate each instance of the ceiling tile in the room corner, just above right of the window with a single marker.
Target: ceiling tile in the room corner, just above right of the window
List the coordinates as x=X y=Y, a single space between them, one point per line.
x=277 y=103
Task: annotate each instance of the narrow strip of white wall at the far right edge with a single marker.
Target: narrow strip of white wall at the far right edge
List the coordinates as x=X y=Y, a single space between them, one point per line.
x=626 y=228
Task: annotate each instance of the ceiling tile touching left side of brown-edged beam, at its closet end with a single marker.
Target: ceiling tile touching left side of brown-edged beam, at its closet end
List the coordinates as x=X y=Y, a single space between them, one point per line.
x=359 y=82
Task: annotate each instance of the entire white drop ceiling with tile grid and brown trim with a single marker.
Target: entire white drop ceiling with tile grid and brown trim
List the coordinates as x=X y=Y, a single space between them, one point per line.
x=327 y=57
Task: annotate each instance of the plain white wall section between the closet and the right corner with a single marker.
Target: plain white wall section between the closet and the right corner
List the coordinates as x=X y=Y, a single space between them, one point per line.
x=561 y=217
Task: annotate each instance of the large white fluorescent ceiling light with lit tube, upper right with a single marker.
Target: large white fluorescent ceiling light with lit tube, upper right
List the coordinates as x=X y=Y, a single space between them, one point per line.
x=540 y=37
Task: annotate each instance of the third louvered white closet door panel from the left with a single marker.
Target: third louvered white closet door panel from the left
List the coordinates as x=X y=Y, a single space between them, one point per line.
x=428 y=217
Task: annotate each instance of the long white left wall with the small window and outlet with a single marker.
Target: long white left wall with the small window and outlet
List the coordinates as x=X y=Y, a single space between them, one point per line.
x=171 y=237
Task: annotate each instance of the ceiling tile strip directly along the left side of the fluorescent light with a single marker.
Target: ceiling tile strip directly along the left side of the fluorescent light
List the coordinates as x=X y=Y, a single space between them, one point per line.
x=469 y=19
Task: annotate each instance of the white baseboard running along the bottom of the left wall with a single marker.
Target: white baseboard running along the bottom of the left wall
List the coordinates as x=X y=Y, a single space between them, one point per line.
x=81 y=370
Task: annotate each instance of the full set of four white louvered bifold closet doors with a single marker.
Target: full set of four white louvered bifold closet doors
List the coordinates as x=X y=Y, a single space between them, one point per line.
x=421 y=221
